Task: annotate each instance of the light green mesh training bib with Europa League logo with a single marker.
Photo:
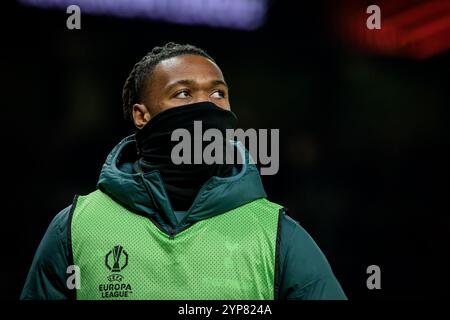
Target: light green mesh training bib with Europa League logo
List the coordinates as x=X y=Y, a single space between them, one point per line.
x=122 y=255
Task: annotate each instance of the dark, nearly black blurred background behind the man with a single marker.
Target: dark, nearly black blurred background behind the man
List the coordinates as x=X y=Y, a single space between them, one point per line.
x=363 y=138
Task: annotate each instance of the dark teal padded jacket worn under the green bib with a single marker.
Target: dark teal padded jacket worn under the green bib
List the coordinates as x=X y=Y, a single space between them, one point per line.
x=302 y=271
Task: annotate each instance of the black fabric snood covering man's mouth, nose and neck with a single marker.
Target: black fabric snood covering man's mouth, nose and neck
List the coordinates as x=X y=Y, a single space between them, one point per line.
x=154 y=145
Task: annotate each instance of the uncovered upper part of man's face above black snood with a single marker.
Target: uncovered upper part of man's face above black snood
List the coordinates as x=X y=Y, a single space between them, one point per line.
x=182 y=80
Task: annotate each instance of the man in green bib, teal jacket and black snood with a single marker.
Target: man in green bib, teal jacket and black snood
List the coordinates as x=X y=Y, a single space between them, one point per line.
x=157 y=230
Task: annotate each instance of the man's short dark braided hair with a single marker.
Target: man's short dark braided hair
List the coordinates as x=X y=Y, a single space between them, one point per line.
x=139 y=76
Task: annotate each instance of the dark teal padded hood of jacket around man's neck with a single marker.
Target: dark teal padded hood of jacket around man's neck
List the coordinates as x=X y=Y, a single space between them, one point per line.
x=145 y=194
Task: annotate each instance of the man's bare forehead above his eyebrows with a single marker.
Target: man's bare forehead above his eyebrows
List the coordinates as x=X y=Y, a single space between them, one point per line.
x=186 y=66
